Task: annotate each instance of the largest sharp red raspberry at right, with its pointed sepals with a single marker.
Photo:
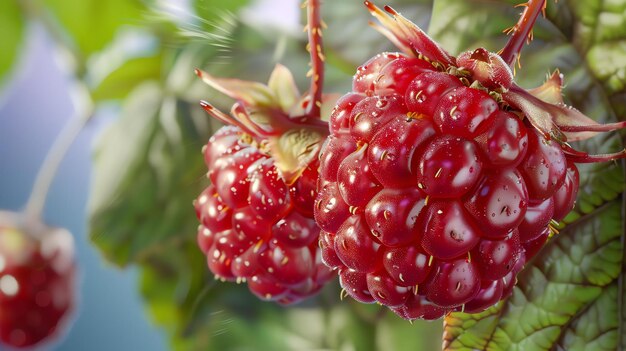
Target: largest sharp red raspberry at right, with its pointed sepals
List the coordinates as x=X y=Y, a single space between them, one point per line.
x=439 y=181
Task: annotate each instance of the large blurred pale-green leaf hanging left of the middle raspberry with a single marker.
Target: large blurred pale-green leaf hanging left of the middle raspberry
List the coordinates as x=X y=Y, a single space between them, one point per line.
x=146 y=176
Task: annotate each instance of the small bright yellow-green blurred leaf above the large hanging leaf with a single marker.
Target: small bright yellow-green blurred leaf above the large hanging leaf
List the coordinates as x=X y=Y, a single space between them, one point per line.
x=125 y=78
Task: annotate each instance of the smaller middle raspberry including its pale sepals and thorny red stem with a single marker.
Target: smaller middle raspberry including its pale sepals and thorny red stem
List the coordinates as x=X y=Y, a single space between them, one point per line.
x=256 y=218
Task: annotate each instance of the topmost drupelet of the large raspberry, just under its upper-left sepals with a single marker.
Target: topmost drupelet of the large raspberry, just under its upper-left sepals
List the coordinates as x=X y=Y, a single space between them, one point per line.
x=396 y=75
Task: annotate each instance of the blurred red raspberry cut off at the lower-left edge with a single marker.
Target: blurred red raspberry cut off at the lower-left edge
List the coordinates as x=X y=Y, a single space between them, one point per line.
x=37 y=277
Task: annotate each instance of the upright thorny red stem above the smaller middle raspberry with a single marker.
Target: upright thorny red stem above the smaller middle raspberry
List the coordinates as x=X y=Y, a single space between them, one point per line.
x=315 y=47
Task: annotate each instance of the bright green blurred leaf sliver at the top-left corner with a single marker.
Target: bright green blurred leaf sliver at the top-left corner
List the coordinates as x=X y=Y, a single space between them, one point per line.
x=12 y=28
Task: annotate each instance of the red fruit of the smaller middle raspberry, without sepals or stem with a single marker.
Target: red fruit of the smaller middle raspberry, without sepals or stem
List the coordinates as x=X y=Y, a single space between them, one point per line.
x=254 y=227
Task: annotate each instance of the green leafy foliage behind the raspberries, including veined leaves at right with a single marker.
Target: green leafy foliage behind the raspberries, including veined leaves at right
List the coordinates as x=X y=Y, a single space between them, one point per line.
x=138 y=56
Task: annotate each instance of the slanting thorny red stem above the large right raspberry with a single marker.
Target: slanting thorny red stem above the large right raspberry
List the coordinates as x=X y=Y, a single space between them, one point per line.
x=522 y=30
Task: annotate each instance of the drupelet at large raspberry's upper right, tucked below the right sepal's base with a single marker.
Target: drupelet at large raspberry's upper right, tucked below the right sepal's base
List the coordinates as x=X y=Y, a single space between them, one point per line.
x=505 y=141
